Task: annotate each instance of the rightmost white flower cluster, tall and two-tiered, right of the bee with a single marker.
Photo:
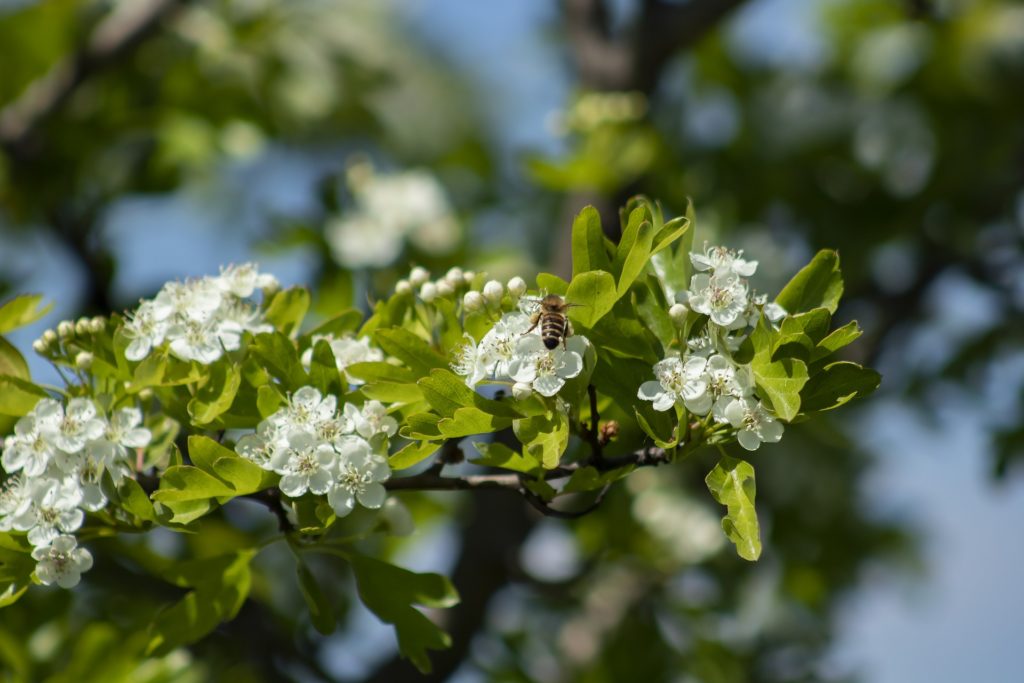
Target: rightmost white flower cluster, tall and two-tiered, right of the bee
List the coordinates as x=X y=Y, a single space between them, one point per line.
x=705 y=379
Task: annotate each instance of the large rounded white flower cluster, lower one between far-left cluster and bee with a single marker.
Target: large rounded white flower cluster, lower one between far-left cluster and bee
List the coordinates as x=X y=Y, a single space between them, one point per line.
x=316 y=449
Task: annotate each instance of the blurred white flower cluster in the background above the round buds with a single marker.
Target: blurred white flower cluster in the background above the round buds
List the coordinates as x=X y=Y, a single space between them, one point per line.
x=390 y=208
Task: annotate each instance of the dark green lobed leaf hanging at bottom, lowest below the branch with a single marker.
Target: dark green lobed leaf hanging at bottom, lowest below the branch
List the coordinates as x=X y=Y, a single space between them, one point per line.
x=391 y=592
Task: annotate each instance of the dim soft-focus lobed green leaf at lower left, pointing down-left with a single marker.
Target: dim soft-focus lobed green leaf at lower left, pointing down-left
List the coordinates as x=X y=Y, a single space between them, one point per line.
x=221 y=587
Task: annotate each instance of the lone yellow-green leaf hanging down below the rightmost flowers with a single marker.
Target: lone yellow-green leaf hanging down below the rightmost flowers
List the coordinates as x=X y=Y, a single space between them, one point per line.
x=732 y=483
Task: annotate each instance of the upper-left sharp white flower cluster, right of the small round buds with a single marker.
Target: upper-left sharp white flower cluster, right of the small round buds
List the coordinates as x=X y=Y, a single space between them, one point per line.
x=200 y=319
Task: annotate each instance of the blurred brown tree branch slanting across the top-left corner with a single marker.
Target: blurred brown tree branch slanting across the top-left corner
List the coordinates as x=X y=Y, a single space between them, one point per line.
x=114 y=38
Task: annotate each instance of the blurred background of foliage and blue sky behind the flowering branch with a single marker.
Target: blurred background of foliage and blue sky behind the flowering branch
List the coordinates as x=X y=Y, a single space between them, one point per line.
x=339 y=142
